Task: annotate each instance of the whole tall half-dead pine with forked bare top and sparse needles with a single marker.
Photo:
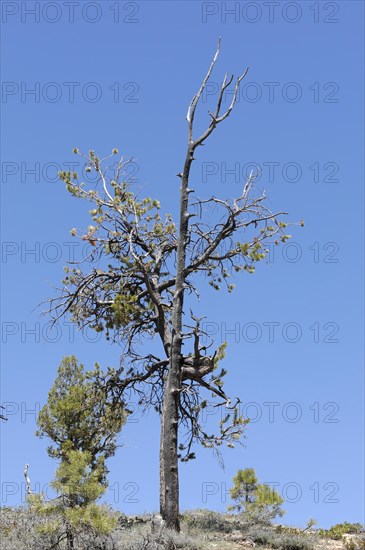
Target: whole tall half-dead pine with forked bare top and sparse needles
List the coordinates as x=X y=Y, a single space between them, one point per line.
x=139 y=270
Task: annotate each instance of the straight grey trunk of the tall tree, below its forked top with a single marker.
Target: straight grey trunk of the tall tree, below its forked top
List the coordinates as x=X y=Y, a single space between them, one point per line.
x=169 y=472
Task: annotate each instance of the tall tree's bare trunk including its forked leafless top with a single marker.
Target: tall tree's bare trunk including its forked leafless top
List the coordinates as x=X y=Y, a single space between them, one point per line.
x=169 y=473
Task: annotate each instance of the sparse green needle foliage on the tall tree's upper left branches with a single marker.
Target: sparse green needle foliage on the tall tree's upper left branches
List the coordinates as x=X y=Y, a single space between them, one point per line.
x=118 y=215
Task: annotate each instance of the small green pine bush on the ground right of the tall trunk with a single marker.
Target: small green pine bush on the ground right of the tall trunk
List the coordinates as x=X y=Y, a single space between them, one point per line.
x=258 y=503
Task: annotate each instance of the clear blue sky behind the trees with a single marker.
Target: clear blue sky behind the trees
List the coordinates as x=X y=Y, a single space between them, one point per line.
x=121 y=74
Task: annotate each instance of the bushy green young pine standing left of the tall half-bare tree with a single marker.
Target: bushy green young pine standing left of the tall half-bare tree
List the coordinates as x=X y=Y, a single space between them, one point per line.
x=83 y=425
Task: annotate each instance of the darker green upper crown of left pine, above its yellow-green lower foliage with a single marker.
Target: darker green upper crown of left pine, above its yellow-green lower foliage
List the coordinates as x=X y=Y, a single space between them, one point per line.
x=78 y=417
